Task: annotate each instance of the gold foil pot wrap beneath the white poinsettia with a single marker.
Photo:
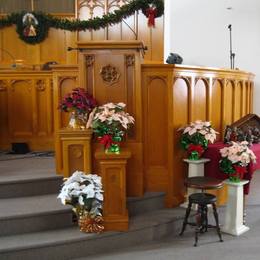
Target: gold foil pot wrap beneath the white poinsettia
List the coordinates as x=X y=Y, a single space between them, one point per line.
x=90 y=224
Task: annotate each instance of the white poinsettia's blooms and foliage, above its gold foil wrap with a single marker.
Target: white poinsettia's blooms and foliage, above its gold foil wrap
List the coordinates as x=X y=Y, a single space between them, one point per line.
x=84 y=192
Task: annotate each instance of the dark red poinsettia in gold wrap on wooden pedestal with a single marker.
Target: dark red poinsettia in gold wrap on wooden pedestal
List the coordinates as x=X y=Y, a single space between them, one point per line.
x=79 y=103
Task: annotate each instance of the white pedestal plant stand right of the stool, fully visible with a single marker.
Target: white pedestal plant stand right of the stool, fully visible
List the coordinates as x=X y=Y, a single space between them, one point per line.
x=235 y=209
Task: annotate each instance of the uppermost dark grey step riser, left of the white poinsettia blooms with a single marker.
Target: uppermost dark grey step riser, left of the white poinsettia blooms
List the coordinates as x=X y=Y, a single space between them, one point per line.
x=23 y=189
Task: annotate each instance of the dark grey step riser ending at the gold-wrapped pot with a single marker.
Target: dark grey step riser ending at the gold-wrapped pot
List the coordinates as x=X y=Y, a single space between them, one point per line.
x=35 y=223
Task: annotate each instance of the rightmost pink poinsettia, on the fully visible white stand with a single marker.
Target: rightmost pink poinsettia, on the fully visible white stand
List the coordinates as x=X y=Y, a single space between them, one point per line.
x=235 y=159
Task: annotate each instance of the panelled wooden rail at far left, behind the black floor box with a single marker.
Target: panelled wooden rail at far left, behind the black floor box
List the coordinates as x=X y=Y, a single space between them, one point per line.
x=26 y=105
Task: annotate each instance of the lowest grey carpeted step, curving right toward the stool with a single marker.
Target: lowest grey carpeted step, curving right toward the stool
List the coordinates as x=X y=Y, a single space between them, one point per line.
x=71 y=243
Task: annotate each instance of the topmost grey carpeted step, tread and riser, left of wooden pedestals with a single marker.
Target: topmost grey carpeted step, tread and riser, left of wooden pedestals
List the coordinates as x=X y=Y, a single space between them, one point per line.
x=28 y=177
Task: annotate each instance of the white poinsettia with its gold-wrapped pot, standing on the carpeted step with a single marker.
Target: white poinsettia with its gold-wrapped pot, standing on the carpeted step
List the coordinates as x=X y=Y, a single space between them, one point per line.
x=84 y=192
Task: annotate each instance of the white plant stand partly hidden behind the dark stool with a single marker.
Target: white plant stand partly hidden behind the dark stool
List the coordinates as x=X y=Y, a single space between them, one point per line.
x=196 y=169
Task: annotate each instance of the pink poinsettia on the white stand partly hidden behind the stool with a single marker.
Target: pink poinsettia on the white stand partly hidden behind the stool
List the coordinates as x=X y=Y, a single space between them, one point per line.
x=195 y=138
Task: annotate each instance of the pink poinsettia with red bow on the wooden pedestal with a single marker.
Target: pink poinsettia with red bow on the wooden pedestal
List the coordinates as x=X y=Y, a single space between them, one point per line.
x=110 y=123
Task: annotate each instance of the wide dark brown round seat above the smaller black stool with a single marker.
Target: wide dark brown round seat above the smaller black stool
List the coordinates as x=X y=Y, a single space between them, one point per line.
x=204 y=183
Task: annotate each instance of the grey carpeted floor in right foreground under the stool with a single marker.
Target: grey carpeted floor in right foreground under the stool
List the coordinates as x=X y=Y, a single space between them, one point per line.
x=244 y=247
